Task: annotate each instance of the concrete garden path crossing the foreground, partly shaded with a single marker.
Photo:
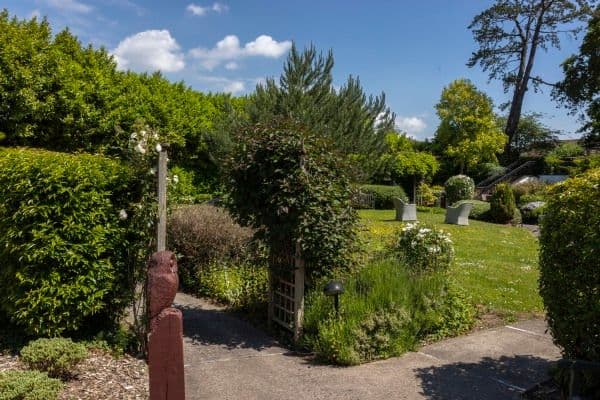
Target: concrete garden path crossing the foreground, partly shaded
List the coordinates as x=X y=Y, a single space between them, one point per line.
x=227 y=358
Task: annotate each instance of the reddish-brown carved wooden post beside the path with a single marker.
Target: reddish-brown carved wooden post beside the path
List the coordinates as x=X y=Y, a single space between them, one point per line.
x=165 y=339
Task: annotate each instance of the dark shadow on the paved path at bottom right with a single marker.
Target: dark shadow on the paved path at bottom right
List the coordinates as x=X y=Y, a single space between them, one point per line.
x=488 y=379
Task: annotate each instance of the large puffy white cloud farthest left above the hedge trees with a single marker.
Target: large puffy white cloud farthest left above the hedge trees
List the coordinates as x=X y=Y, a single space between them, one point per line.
x=149 y=51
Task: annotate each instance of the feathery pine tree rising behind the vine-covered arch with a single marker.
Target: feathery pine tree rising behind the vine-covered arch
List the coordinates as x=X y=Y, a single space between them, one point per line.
x=355 y=122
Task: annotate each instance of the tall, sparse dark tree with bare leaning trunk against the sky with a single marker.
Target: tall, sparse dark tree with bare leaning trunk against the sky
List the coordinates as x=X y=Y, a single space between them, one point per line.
x=509 y=34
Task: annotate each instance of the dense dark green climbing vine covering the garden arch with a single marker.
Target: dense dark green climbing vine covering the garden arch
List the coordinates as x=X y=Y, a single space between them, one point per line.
x=286 y=183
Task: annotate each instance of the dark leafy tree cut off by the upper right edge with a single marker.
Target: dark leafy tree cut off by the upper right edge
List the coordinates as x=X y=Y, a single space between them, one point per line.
x=580 y=89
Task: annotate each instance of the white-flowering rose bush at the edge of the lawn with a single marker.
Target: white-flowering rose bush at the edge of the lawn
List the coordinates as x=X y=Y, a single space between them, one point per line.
x=424 y=248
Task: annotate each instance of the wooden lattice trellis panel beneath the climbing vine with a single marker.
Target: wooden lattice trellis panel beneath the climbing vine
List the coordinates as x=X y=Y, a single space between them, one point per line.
x=286 y=302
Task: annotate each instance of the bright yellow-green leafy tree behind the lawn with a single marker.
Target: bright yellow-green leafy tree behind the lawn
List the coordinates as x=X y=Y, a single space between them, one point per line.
x=468 y=133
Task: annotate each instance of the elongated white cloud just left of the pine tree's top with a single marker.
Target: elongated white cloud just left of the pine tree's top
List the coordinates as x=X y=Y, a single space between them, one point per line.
x=229 y=49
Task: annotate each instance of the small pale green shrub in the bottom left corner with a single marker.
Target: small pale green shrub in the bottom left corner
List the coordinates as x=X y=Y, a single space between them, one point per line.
x=28 y=385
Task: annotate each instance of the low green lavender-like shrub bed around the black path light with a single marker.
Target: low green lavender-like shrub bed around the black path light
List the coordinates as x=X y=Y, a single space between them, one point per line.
x=384 y=312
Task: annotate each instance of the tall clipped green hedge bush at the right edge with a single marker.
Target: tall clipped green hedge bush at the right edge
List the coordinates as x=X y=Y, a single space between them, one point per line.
x=569 y=270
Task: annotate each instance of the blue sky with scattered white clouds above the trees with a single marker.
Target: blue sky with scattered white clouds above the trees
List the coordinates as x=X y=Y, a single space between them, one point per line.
x=408 y=49
